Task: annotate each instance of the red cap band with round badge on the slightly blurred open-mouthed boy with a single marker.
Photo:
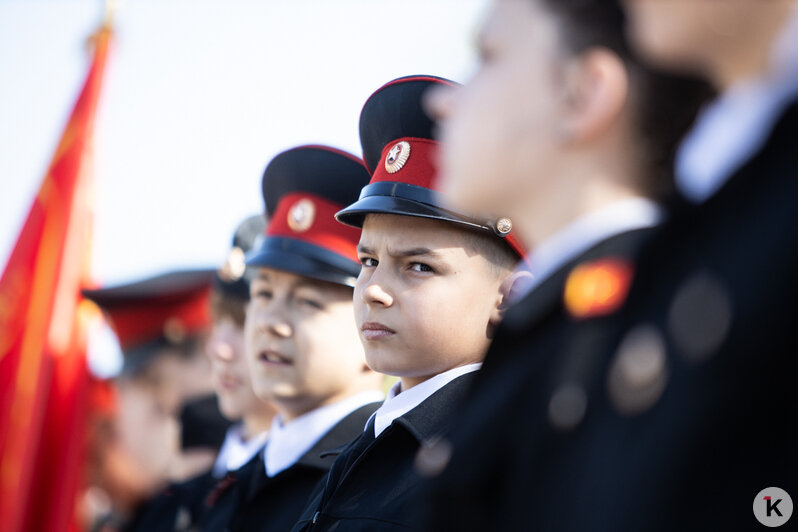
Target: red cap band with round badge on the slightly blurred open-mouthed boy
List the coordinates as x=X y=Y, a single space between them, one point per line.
x=310 y=218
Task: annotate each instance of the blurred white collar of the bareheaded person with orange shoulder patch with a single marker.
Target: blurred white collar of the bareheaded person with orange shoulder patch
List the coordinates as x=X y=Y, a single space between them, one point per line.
x=585 y=232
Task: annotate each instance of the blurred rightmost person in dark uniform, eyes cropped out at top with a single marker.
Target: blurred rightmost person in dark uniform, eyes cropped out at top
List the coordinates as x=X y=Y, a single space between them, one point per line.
x=723 y=302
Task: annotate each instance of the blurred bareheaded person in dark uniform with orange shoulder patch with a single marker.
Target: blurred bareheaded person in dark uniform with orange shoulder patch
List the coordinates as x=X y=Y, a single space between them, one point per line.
x=578 y=136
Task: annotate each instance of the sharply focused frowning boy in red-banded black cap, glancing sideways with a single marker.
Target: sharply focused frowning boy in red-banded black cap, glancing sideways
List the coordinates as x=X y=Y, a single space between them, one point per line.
x=429 y=295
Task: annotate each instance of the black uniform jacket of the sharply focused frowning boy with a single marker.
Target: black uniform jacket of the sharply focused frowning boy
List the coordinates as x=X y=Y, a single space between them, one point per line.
x=374 y=484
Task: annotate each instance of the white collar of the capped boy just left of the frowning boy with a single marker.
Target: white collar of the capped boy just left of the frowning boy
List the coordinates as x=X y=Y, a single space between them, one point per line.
x=288 y=442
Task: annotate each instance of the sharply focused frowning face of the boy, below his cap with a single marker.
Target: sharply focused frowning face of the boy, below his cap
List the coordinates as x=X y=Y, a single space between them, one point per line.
x=429 y=294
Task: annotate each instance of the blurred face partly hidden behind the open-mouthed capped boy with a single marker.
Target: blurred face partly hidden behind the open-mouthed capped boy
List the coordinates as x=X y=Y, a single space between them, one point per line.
x=229 y=368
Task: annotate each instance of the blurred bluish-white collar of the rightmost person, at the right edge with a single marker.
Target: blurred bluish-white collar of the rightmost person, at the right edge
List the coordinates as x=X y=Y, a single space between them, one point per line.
x=733 y=128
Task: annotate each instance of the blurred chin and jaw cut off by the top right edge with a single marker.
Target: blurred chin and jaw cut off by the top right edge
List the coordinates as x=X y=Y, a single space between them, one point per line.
x=727 y=40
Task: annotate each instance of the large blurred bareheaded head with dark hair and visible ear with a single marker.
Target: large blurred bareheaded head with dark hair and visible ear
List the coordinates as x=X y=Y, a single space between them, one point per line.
x=558 y=98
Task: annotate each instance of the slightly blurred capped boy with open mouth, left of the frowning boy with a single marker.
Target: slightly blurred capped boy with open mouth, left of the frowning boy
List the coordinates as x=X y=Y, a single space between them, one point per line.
x=301 y=341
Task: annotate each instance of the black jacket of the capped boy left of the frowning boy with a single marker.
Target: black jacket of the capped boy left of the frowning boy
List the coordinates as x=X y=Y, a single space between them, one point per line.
x=250 y=500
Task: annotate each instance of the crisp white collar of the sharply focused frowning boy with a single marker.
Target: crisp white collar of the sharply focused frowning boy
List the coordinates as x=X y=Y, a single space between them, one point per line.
x=399 y=403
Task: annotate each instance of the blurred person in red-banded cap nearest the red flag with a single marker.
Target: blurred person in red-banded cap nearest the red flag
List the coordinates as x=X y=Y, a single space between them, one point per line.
x=166 y=426
